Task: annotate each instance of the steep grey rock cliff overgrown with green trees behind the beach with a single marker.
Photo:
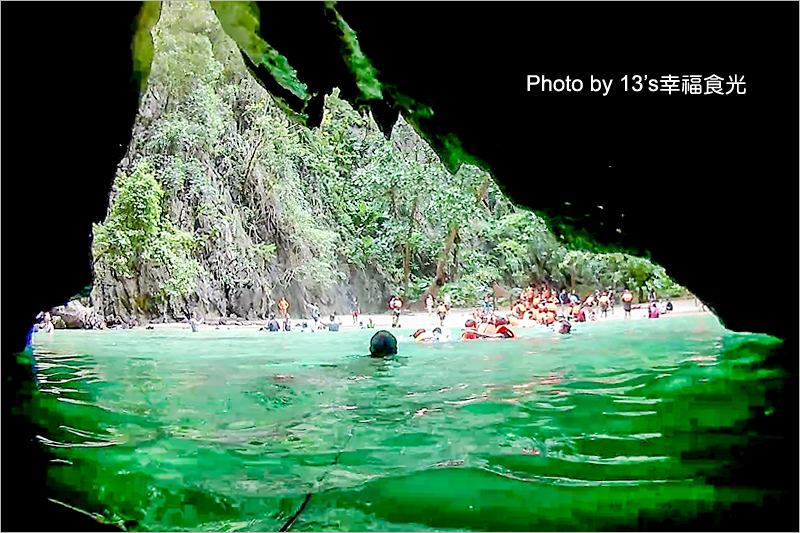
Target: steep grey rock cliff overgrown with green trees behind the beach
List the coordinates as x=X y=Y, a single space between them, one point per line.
x=224 y=203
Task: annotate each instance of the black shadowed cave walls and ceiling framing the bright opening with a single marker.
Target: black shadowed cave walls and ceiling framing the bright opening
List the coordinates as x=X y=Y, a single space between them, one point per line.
x=707 y=183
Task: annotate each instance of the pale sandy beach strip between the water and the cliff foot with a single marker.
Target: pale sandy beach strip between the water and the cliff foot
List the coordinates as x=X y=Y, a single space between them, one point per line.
x=455 y=318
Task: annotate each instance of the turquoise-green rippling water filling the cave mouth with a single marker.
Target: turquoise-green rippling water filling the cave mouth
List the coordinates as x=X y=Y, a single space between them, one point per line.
x=618 y=423
